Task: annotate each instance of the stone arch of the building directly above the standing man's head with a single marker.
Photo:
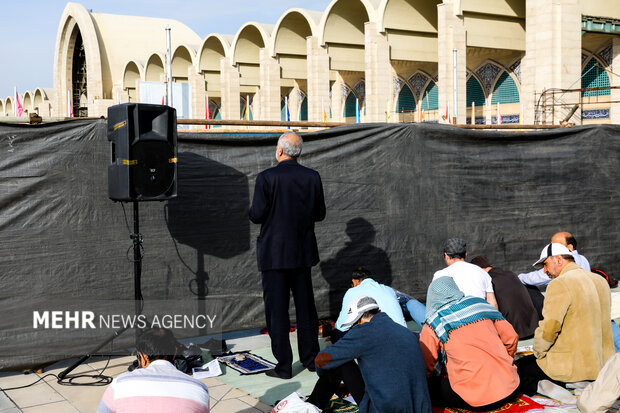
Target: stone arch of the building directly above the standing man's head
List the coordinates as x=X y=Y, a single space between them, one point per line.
x=288 y=41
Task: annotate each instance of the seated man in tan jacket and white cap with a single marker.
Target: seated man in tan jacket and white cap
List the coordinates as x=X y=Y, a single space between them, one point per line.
x=574 y=339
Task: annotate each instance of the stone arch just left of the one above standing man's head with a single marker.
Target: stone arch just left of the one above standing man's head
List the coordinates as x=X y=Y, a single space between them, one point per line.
x=246 y=46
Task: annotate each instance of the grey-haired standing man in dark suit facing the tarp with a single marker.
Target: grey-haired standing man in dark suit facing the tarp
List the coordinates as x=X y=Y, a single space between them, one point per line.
x=288 y=200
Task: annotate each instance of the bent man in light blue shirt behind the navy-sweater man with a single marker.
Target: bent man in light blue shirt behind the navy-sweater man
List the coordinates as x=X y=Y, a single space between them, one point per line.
x=363 y=285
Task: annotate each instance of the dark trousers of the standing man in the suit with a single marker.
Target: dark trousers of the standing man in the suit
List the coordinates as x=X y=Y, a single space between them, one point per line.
x=277 y=286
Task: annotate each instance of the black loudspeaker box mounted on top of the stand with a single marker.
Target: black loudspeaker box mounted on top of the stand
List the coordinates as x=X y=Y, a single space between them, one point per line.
x=144 y=152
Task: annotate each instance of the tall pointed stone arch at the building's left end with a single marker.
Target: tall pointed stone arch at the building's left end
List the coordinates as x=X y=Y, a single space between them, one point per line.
x=77 y=41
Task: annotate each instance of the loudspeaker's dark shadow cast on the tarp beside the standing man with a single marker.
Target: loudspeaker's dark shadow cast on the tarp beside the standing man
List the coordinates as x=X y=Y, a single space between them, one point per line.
x=209 y=214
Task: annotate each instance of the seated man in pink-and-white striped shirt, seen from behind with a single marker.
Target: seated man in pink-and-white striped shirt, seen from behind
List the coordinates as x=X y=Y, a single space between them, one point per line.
x=157 y=386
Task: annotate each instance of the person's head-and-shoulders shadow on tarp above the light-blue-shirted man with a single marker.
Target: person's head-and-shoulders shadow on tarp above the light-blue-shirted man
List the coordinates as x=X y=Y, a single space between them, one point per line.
x=357 y=252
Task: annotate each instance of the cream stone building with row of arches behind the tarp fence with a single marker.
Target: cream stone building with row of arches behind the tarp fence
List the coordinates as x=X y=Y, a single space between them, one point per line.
x=372 y=57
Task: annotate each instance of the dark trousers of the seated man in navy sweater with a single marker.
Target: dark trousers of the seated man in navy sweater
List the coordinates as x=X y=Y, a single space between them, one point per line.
x=328 y=384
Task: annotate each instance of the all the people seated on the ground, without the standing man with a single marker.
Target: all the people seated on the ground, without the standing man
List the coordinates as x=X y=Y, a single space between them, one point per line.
x=464 y=356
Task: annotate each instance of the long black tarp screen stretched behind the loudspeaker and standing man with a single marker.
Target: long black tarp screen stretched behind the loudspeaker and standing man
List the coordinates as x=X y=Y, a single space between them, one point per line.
x=394 y=193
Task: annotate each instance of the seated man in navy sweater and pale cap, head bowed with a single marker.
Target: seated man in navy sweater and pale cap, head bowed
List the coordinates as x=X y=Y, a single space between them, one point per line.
x=391 y=374
